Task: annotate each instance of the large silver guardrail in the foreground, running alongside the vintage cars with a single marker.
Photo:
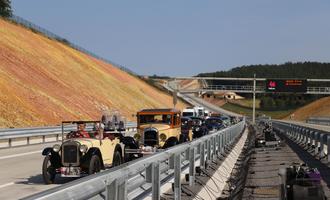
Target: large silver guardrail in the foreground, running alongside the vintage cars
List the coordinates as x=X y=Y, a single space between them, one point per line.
x=139 y=178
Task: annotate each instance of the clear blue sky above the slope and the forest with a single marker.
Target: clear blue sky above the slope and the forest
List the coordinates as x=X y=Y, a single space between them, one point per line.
x=186 y=37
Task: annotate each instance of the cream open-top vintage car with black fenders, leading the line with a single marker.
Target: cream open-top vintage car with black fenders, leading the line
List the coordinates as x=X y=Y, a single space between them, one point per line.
x=86 y=150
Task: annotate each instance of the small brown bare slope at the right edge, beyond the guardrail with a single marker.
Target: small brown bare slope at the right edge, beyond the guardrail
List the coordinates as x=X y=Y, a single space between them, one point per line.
x=318 y=108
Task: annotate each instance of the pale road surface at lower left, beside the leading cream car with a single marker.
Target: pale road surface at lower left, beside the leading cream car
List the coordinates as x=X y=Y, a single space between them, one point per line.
x=21 y=171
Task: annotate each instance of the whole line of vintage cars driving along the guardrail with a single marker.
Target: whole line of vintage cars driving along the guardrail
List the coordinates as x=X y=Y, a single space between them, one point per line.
x=97 y=145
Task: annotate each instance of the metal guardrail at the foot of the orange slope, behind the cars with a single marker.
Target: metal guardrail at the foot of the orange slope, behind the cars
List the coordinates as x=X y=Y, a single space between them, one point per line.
x=37 y=135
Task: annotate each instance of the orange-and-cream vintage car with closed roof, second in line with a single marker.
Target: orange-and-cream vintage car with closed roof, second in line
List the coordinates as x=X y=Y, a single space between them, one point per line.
x=158 y=128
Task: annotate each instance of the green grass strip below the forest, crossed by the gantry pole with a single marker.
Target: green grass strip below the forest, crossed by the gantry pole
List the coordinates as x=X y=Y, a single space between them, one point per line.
x=248 y=111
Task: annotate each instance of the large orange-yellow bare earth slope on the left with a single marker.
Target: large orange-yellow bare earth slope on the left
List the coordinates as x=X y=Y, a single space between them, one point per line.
x=43 y=81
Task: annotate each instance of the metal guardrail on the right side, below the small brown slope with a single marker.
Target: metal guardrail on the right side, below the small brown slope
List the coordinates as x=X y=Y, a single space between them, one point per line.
x=315 y=141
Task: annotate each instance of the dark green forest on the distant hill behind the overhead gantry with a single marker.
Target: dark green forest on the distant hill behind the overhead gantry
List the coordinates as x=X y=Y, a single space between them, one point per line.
x=282 y=101
